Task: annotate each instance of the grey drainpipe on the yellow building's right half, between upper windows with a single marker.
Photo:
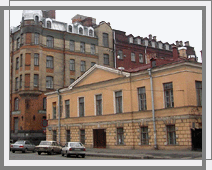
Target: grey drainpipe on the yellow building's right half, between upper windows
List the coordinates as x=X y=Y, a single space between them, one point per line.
x=153 y=109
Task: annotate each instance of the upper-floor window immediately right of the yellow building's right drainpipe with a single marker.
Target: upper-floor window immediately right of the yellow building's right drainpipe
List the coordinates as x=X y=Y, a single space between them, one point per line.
x=168 y=95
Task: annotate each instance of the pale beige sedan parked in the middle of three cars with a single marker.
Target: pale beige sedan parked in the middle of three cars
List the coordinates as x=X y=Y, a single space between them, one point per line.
x=49 y=147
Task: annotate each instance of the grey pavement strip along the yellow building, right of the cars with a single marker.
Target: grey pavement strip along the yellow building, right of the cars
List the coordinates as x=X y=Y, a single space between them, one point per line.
x=144 y=154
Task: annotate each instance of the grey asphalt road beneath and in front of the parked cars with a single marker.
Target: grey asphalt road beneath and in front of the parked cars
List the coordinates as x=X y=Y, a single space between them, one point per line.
x=34 y=156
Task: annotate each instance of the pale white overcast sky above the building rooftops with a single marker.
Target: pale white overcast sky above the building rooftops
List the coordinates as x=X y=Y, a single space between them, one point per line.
x=167 y=25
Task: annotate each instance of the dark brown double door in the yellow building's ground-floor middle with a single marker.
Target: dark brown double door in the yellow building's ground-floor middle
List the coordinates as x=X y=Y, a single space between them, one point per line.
x=99 y=138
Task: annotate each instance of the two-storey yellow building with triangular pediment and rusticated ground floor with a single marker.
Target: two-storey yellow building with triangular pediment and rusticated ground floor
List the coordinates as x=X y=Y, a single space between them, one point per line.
x=159 y=107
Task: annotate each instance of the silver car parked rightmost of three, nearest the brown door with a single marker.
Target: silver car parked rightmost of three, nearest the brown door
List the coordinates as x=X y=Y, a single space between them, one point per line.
x=73 y=148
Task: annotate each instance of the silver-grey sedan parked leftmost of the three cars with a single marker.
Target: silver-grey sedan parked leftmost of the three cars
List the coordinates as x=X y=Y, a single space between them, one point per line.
x=22 y=145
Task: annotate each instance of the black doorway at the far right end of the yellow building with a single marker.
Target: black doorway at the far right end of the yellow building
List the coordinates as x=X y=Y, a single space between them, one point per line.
x=196 y=135
